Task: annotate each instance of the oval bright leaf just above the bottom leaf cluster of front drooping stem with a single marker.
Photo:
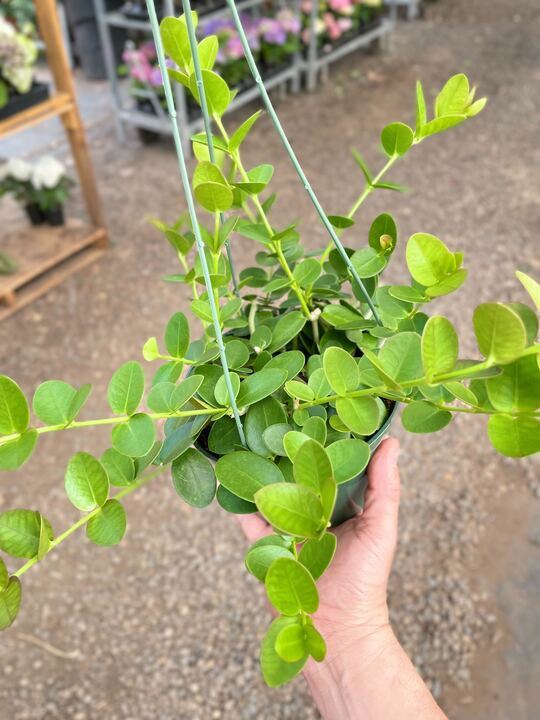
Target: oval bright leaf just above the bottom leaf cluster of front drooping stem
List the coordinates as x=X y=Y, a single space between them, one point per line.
x=290 y=587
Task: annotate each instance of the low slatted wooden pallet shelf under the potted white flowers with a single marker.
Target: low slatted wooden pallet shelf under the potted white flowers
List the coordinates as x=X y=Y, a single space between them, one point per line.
x=45 y=256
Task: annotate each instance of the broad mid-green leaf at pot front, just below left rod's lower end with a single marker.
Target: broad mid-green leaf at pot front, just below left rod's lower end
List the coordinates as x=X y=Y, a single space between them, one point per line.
x=244 y=473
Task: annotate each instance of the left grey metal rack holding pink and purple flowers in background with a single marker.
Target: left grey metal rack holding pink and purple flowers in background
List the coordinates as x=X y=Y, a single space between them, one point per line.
x=126 y=114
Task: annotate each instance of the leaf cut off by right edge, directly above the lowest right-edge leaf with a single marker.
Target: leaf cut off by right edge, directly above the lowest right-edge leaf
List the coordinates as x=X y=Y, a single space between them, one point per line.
x=517 y=388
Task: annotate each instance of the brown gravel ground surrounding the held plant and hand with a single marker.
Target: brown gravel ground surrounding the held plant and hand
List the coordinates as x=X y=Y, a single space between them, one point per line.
x=167 y=625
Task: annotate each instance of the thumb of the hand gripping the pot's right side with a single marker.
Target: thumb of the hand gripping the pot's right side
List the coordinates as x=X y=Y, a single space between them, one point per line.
x=381 y=508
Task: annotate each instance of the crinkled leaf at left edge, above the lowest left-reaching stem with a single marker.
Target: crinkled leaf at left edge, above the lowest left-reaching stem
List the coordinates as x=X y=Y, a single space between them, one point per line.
x=20 y=532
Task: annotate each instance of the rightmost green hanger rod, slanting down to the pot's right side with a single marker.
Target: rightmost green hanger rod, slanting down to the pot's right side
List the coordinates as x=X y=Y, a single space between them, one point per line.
x=292 y=155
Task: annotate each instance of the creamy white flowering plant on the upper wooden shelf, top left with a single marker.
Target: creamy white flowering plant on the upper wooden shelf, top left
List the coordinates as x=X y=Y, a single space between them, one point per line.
x=18 y=54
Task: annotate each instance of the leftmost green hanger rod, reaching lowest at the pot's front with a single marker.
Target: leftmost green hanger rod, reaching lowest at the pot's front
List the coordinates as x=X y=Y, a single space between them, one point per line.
x=192 y=212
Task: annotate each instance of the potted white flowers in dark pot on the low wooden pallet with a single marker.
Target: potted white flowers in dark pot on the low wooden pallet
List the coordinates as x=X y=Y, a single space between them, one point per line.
x=42 y=188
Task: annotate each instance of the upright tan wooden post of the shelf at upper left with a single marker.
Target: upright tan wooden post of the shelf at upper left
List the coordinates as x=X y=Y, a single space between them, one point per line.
x=51 y=32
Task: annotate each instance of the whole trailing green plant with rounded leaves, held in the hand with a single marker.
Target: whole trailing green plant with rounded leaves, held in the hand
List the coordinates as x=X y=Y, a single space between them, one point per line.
x=299 y=363
